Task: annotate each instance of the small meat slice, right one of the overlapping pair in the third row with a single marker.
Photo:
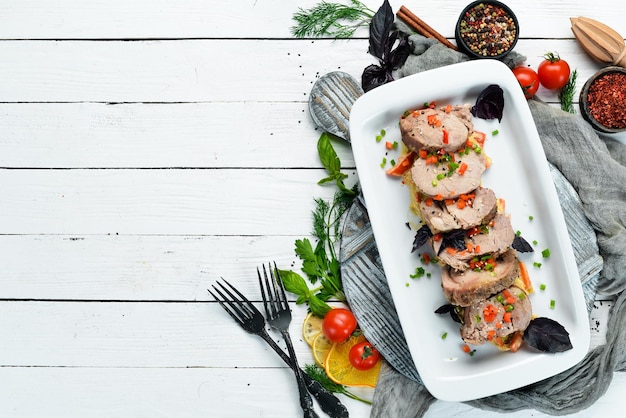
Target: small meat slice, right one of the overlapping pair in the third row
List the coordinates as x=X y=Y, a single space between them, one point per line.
x=474 y=209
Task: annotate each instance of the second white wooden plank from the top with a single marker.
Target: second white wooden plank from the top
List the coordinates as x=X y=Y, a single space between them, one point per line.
x=185 y=71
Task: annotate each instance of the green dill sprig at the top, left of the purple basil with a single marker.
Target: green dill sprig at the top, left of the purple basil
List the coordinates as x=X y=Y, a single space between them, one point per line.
x=331 y=19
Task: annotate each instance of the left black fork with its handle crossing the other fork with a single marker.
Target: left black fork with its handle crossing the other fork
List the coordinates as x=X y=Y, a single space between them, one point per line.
x=251 y=320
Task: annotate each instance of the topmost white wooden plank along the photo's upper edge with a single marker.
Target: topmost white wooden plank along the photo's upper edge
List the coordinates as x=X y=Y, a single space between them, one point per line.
x=149 y=19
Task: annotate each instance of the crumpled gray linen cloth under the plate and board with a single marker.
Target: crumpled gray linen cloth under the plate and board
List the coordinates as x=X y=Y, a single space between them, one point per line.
x=596 y=169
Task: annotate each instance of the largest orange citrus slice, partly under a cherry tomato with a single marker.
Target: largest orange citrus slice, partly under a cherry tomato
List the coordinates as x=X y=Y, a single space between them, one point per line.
x=339 y=369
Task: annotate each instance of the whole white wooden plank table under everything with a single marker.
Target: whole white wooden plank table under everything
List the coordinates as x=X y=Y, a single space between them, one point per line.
x=146 y=149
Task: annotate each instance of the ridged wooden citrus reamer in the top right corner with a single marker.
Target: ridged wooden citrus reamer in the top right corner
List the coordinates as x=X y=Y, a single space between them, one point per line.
x=600 y=41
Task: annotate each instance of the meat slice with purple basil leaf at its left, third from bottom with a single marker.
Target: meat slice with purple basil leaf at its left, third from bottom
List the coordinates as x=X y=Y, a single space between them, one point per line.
x=495 y=238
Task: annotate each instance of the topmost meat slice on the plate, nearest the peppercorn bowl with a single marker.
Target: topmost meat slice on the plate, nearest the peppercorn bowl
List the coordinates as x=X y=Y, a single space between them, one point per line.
x=434 y=129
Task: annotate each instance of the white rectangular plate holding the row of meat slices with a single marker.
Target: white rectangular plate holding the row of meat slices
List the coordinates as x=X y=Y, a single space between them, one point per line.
x=520 y=175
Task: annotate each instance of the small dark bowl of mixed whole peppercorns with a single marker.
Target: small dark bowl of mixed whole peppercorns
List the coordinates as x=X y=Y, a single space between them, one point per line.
x=487 y=29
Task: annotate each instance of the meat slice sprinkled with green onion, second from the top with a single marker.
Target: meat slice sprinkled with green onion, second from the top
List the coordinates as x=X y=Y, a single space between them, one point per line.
x=440 y=180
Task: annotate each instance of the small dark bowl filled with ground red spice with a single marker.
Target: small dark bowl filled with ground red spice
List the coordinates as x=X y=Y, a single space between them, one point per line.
x=603 y=100
